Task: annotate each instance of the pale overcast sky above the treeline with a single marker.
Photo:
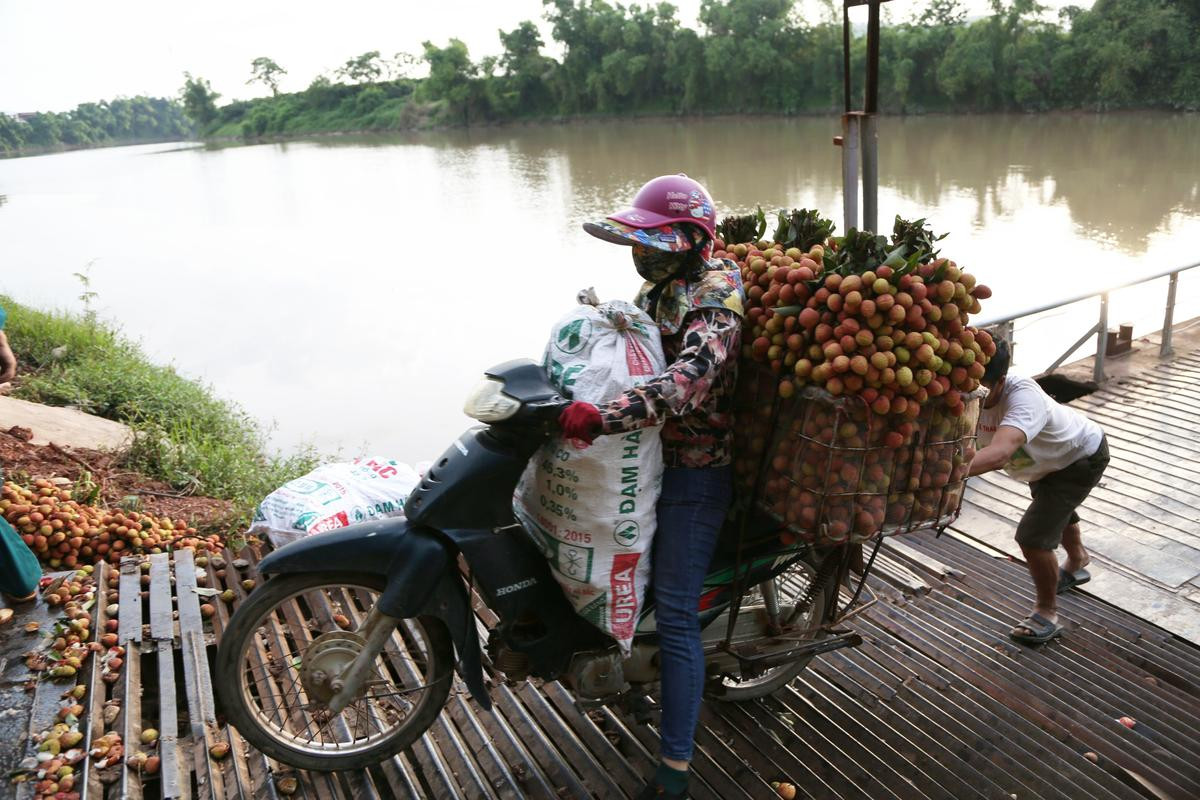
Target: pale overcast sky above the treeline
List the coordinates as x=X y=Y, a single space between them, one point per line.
x=56 y=56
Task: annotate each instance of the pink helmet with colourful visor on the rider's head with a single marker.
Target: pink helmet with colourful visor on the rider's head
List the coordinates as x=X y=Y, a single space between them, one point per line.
x=656 y=216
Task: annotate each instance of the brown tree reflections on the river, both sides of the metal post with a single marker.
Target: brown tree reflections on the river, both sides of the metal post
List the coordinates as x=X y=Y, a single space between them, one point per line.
x=1120 y=176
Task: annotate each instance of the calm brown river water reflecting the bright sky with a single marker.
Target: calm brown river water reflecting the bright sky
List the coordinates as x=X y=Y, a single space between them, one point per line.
x=351 y=291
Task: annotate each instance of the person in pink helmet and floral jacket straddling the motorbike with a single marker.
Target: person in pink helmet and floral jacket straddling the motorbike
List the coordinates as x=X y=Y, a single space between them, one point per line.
x=698 y=303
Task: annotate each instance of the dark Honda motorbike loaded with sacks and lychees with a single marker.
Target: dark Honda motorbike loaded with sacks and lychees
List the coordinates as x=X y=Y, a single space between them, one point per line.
x=346 y=654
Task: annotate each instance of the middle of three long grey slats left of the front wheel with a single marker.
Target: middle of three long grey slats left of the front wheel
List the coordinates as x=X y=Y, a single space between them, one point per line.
x=175 y=784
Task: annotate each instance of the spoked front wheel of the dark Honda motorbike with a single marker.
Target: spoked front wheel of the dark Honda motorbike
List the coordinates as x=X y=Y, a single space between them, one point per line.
x=296 y=631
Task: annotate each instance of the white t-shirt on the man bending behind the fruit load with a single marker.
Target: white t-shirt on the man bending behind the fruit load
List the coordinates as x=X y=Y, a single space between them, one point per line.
x=1055 y=436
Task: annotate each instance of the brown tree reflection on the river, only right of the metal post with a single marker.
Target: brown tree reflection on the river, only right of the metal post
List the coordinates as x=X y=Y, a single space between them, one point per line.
x=1121 y=177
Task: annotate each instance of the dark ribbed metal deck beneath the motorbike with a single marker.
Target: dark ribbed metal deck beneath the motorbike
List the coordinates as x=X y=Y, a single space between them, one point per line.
x=937 y=703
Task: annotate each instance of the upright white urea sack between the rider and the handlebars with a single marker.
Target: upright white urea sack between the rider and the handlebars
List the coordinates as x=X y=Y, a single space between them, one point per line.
x=593 y=512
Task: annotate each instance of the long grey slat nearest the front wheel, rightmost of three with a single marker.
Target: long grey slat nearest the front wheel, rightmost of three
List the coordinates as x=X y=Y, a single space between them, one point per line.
x=201 y=703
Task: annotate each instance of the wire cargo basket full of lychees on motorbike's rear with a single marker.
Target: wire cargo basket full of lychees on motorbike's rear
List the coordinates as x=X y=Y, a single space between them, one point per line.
x=831 y=471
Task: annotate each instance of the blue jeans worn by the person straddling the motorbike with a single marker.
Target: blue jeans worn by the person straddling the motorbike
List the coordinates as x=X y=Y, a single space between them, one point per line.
x=691 y=513
